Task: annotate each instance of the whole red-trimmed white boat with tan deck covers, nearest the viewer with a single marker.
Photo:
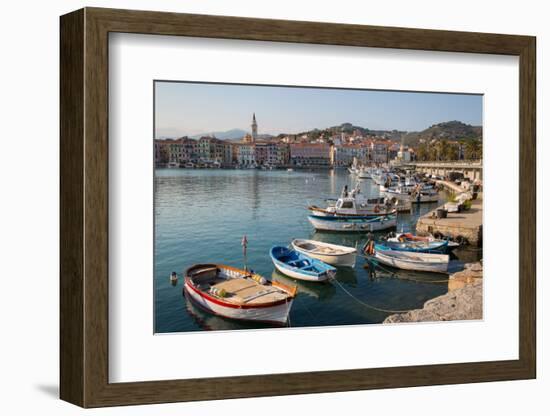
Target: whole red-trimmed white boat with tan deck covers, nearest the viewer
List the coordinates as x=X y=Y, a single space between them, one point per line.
x=238 y=294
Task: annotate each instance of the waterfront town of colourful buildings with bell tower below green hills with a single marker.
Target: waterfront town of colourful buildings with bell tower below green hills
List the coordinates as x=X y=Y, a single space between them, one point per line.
x=328 y=149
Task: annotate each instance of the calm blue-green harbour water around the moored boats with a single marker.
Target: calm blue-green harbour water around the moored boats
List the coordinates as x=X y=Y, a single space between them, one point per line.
x=201 y=216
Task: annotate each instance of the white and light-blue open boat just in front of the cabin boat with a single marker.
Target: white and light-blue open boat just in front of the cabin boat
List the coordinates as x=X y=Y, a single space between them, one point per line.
x=353 y=224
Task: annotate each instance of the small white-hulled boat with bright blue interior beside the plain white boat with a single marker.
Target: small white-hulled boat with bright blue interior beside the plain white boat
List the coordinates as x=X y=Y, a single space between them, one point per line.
x=298 y=265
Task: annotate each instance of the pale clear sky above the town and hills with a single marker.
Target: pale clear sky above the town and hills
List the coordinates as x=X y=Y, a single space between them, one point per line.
x=193 y=108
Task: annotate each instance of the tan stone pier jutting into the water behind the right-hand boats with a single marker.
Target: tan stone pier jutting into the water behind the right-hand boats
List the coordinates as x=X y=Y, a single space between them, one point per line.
x=466 y=224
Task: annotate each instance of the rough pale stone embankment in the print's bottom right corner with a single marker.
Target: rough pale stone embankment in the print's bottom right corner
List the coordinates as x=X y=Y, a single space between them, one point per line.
x=464 y=301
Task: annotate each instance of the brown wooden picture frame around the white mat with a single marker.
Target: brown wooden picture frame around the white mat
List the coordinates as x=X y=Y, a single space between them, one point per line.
x=84 y=207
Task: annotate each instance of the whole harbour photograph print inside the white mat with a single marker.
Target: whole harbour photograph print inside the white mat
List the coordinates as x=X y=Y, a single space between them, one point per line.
x=291 y=206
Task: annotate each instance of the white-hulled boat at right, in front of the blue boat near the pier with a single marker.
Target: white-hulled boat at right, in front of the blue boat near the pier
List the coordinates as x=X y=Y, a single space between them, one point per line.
x=425 y=262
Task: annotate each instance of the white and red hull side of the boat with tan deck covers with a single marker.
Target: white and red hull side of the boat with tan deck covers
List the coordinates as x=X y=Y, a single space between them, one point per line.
x=276 y=314
